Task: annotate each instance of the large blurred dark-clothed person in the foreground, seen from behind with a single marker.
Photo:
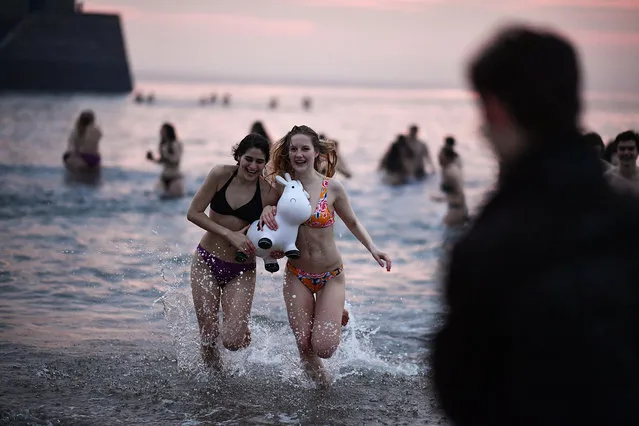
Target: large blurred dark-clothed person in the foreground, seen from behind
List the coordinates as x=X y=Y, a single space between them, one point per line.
x=542 y=322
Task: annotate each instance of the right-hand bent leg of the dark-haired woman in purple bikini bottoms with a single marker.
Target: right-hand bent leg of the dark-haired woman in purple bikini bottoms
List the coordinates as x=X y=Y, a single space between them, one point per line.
x=237 y=300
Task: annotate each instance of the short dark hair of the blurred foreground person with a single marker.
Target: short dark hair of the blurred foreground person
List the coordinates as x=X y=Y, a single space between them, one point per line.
x=536 y=75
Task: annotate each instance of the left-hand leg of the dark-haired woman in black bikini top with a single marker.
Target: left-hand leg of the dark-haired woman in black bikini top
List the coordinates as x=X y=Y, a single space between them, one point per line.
x=206 y=299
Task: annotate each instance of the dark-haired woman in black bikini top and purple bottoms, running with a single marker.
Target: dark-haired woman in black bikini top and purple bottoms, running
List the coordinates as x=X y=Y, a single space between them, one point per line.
x=235 y=194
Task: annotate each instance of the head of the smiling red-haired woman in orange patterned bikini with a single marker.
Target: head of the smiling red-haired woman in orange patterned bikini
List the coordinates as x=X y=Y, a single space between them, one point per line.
x=302 y=149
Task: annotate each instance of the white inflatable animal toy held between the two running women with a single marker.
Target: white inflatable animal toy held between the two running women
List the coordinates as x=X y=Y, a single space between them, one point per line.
x=293 y=209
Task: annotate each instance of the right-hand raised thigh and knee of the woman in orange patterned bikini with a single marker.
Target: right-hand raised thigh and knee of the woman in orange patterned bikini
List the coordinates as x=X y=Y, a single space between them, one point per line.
x=329 y=311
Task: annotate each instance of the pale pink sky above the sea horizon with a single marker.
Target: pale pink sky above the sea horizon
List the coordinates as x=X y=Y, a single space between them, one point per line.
x=423 y=42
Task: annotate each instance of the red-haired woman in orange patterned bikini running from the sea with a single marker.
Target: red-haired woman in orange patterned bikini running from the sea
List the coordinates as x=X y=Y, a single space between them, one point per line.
x=314 y=284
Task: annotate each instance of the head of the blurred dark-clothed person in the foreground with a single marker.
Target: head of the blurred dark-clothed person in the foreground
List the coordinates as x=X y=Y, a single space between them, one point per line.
x=528 y=82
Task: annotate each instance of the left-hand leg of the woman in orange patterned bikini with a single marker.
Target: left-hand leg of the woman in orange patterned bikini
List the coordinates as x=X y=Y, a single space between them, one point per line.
x=300 y=306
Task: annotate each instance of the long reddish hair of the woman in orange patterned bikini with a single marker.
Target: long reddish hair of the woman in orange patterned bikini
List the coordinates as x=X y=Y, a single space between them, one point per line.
x=325 y=147
